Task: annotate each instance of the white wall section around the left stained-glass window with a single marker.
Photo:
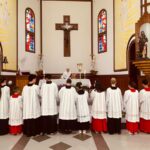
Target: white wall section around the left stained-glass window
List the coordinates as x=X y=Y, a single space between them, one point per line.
x=28 y=61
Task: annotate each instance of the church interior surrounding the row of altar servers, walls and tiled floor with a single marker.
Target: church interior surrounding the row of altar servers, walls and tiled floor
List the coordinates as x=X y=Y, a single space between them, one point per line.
x=95 y=39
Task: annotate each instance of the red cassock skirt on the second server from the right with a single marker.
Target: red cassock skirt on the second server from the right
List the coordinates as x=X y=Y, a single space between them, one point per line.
x=132 y=126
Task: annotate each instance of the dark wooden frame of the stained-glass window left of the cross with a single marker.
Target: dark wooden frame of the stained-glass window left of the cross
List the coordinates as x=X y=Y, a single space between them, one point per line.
x=33 y=34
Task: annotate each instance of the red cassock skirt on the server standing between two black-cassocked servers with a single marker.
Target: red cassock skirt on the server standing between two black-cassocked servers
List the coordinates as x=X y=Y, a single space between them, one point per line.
x=99 y=125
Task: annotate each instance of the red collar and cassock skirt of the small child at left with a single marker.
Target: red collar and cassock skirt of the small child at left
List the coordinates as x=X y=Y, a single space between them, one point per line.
x=15 y=129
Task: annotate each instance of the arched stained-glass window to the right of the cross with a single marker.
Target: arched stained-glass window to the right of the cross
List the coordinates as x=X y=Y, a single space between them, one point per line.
x=102 y=31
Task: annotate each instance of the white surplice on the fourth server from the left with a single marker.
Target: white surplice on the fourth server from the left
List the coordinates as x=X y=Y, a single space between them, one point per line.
x=49 y=95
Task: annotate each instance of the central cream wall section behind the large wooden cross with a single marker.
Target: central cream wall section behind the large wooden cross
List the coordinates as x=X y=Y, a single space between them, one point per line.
x=53 y=49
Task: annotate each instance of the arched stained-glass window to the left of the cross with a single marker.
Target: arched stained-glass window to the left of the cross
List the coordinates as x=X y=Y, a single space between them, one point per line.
x=30 y=30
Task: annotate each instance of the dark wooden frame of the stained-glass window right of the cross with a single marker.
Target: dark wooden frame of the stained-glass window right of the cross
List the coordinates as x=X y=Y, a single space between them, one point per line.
x=103 y=33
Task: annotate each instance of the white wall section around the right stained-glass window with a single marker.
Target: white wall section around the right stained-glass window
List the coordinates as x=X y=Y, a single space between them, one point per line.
x=104 y=61
